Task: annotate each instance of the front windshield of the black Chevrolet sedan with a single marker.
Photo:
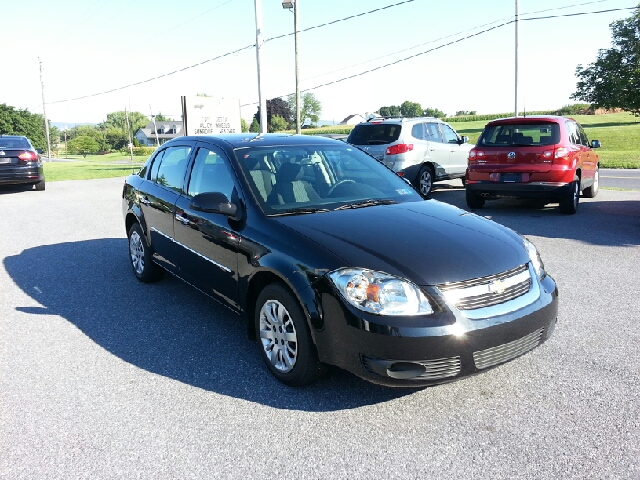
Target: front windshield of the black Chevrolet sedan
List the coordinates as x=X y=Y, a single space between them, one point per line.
x=292 y=179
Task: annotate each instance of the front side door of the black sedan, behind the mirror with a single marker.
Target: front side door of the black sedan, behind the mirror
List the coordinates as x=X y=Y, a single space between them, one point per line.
x=208 y=241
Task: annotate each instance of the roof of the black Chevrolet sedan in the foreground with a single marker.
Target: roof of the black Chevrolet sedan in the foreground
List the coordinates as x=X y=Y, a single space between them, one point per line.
x=240 y=140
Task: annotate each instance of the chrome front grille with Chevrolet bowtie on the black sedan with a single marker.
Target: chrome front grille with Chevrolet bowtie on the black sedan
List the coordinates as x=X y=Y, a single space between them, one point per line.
x=487 y=291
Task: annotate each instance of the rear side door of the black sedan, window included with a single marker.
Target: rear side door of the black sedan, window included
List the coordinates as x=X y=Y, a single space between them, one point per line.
x=157 y=198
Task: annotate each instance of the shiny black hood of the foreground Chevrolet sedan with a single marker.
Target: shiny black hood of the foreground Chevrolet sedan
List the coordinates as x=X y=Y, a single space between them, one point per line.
x=427 y=242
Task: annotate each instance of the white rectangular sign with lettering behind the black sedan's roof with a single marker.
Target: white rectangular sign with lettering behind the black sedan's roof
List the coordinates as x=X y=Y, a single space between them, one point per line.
x=210 y=116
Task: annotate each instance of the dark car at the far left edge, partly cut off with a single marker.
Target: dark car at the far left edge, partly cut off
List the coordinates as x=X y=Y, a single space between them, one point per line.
x=20 y=163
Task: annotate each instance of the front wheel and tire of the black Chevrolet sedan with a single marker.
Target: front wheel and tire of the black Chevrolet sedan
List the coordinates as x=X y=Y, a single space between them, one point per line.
x=284 y=338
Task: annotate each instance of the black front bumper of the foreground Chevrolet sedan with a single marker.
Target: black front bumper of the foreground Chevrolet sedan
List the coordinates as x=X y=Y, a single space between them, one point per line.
x=445 y=346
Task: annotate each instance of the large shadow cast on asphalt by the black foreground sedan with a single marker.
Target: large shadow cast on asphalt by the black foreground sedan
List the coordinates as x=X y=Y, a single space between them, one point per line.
x=168 y=328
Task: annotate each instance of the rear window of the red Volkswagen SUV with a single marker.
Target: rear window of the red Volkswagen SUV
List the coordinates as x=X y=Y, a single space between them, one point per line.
x=519 y=134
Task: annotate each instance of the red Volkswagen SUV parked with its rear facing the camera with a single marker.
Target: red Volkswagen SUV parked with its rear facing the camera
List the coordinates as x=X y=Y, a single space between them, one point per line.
x=545 y=157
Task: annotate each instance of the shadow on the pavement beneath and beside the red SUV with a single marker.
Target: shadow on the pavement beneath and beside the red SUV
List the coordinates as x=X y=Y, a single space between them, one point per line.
x=598 y=222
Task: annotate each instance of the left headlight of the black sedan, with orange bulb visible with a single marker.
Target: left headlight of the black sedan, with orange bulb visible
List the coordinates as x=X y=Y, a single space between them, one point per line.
x=380 y=293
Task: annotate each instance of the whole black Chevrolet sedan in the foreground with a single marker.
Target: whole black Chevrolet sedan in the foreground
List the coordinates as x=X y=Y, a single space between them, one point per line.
x=331 y=258
